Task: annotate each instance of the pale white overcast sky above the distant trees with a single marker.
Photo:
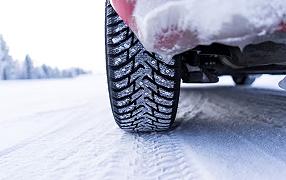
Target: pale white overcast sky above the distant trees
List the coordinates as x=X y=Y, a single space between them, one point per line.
x=61 y=33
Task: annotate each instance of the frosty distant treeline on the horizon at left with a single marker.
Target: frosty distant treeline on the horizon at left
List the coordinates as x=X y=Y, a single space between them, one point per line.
x=12 y=69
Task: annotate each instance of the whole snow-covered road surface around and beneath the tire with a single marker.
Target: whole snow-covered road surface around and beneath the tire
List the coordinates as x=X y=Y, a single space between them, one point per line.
x=63 y=129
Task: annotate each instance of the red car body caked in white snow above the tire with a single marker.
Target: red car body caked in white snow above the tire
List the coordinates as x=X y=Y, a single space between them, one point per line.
x=169 y=27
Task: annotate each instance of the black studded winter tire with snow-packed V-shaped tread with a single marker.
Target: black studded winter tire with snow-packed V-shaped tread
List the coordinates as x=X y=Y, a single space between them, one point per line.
x=143 y=87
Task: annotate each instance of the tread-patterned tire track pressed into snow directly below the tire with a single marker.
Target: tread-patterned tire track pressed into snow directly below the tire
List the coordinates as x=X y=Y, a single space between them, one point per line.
x=161 y=156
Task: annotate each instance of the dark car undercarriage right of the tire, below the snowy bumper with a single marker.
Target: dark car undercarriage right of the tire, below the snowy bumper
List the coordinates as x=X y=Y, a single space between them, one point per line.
x=204 y=64
